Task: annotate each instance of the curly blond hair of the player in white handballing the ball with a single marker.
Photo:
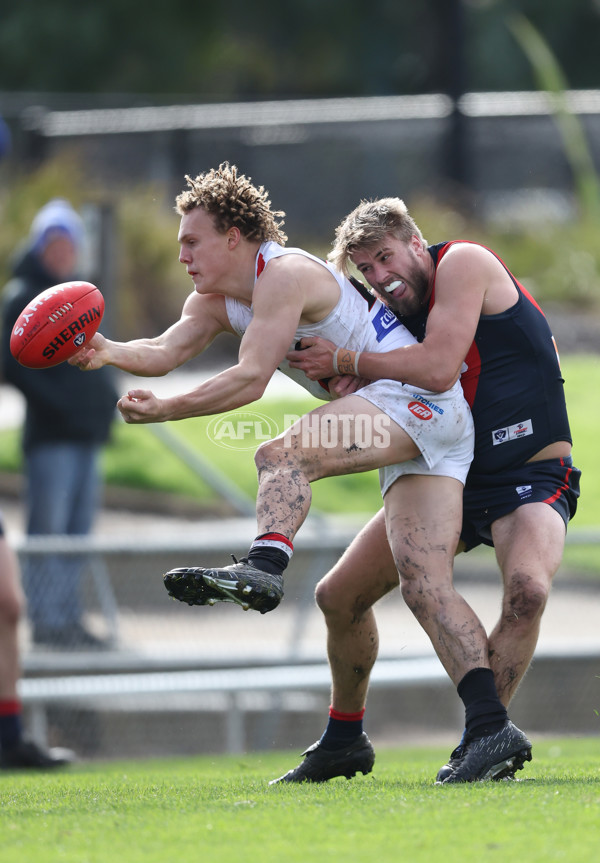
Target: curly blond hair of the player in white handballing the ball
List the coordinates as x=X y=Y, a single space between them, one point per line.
x=233 y=201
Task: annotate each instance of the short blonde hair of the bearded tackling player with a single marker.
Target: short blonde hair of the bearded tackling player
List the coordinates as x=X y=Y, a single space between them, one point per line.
x=369 y=223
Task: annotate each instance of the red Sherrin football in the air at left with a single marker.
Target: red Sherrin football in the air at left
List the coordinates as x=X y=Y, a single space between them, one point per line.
x=56 y=324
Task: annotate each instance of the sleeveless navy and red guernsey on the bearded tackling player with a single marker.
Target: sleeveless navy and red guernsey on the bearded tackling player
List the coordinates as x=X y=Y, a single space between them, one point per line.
x=513 y=381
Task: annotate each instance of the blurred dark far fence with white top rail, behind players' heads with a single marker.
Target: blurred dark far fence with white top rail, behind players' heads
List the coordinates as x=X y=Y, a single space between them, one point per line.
x=335 y=151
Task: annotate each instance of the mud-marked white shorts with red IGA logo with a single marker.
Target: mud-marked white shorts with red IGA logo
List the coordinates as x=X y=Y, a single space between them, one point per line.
x=440 y=424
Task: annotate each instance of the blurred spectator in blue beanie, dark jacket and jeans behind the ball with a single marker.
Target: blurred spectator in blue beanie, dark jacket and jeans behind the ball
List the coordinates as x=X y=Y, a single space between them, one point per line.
x=68 y=418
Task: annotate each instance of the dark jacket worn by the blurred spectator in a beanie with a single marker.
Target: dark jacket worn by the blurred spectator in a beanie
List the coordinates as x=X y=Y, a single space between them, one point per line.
x=63 y=403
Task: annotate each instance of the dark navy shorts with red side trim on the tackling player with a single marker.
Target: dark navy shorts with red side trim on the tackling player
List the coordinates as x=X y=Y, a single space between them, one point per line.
x=487 y=497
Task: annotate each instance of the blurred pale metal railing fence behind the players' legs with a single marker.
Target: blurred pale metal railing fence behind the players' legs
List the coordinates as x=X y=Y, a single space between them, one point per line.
x=177 y=679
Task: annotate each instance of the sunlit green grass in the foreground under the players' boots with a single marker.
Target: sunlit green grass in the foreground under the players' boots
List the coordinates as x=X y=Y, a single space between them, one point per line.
x=222 y=809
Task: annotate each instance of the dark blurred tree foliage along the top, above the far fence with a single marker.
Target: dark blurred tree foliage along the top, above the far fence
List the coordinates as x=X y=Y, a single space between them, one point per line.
x=216 y=51
